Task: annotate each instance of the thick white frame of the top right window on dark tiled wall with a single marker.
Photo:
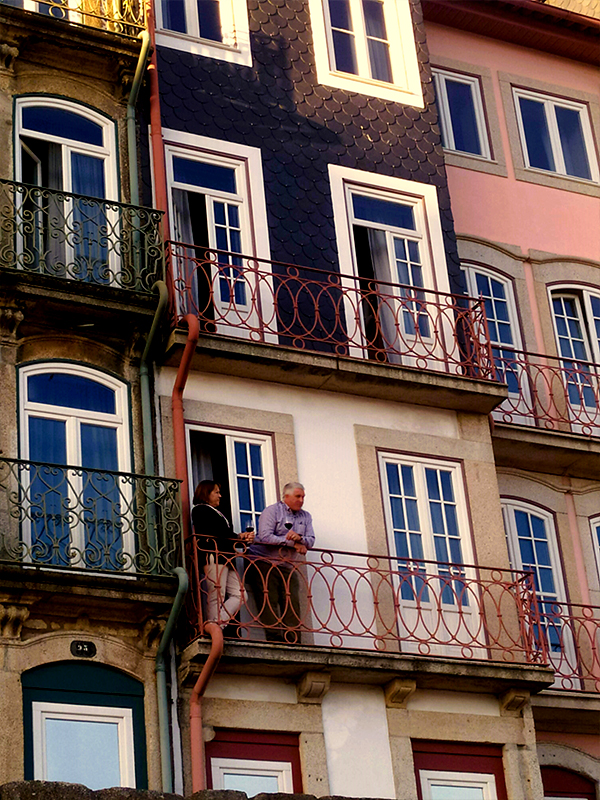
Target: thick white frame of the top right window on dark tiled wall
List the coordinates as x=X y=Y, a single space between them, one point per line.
x=406 y=86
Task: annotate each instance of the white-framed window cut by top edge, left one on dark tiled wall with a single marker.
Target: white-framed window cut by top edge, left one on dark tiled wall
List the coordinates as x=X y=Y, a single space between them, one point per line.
x=213 y=28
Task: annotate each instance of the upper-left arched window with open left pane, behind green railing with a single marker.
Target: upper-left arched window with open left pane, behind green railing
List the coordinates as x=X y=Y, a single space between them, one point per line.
x=70 y=150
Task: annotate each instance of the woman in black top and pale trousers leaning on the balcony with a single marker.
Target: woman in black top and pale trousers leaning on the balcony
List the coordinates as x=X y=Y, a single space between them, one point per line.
x=216 y=540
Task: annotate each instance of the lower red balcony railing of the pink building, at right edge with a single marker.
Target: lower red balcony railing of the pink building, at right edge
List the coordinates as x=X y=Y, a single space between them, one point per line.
x=572 y=633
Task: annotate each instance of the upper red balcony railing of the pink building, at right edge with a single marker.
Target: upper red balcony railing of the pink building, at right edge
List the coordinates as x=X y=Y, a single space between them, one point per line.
x=548 y=392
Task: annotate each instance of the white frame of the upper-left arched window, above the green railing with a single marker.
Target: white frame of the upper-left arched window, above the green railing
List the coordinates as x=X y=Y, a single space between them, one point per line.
x=108 y=152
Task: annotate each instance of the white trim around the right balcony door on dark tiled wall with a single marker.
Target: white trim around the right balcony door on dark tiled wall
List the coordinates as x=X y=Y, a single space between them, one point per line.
x=422 y=196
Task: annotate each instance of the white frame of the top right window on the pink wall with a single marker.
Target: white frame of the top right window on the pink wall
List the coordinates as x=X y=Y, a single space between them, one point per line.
x=550 y=104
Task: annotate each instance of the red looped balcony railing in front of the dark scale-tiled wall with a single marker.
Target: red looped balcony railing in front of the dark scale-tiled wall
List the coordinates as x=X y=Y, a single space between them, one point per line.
x=310 y=309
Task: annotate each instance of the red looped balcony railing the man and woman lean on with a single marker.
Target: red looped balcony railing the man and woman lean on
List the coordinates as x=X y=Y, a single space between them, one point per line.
x=357 y=601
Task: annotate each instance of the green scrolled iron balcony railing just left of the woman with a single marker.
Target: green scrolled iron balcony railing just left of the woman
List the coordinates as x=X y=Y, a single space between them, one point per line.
x=88 y=519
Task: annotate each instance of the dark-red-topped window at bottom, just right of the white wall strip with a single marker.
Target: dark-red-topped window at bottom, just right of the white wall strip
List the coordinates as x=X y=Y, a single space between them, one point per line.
x=458 y=771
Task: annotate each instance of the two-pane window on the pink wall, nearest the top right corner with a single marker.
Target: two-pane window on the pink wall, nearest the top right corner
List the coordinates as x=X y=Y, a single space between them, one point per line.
x=556 y=135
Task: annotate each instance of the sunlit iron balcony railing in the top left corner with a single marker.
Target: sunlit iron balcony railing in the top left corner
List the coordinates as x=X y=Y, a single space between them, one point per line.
x=125 y=17
